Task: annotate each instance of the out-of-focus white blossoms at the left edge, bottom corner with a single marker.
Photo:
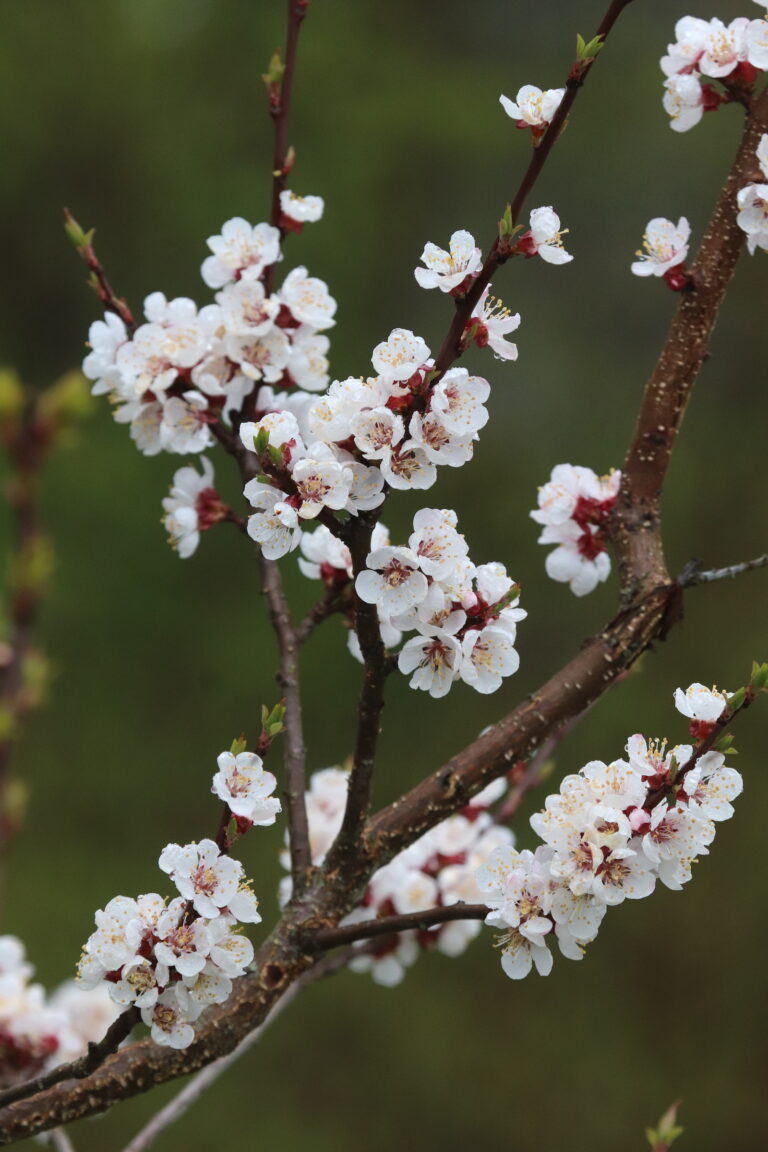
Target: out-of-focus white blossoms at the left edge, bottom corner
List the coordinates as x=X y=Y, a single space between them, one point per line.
x=39 y=1032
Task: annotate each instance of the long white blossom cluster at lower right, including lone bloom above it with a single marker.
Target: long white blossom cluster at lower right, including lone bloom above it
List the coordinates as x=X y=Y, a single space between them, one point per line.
x=610 y=835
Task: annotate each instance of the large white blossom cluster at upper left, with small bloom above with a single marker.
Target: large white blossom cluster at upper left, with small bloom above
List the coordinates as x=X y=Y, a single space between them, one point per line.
x=186 y=367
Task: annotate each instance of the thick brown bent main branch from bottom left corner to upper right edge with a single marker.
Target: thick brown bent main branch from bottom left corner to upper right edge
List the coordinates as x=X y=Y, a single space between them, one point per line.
x=651 y=607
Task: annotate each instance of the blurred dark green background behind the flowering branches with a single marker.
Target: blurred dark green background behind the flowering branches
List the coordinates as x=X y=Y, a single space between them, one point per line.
x=148 y=119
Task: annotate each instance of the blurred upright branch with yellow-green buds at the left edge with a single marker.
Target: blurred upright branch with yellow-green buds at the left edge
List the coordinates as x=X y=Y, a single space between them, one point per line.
x=32 y=426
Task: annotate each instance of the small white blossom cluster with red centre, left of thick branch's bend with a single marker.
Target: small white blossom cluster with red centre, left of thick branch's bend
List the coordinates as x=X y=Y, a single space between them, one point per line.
x=575 y=509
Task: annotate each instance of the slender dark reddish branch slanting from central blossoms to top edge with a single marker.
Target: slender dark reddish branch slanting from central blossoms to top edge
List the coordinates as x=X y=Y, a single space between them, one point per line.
x=499 y=253
